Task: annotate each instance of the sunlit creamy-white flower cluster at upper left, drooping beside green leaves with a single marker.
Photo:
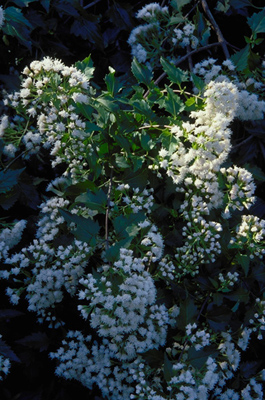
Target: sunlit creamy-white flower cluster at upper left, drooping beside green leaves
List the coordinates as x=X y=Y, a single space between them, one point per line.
x=50 y=95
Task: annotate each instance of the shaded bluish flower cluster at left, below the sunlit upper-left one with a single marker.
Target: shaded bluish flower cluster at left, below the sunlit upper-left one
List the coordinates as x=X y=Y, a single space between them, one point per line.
x=47 y=271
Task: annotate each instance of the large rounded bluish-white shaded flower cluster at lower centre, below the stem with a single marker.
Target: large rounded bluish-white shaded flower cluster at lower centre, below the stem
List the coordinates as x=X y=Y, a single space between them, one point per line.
x=123 y=307
